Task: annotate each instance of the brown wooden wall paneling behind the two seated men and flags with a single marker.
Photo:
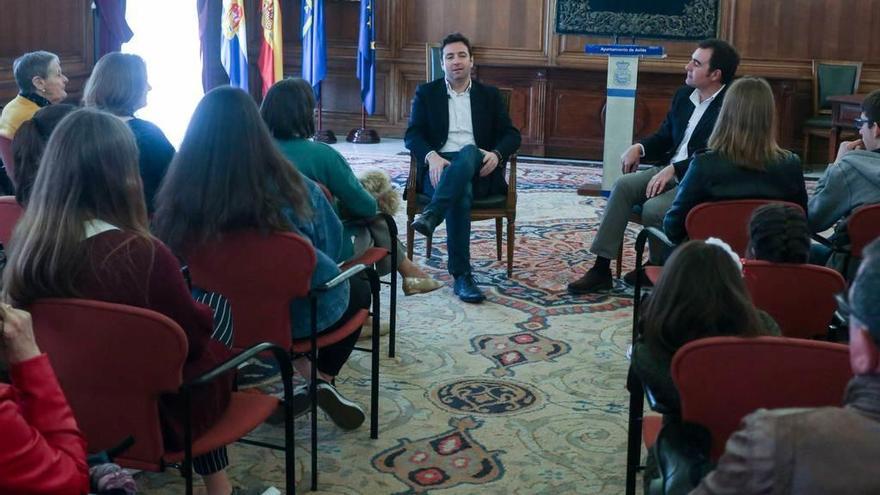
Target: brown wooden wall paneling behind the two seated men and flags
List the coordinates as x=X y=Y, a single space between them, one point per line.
x=557 y=91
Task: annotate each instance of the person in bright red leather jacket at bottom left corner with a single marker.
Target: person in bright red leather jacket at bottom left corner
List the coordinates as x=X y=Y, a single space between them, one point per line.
x=41 y=449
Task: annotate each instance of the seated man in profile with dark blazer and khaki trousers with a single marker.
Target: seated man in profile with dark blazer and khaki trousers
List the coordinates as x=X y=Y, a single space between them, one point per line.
x=685 y=130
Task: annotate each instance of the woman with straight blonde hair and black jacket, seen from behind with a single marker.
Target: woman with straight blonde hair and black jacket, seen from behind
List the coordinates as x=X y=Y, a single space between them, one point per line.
x=743 y=161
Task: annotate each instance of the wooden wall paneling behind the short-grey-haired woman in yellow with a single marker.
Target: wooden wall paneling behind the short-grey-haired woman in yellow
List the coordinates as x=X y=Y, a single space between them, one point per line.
x=63 y=27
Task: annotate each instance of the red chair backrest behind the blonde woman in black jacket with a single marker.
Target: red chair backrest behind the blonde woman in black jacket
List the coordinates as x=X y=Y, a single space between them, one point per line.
x=727 y=220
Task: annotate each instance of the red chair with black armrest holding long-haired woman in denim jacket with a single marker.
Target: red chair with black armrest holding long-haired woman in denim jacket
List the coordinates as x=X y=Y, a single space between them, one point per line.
x=260 y=275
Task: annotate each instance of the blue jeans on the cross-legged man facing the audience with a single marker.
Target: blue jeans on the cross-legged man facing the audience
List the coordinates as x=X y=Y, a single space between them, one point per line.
x=452 y=200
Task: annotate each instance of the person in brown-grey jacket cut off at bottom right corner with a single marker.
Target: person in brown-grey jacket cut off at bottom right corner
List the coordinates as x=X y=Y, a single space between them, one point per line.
x=817 y=450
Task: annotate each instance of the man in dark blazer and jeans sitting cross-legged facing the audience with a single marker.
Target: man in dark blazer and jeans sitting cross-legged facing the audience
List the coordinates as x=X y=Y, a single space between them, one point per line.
x=461 y=136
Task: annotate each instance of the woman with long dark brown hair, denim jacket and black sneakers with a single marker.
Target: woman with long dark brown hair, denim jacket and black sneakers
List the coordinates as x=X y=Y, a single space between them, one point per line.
x=229 y=175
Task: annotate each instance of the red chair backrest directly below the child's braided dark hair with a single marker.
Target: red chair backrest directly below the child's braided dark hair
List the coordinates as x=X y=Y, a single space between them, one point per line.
x=802 y=309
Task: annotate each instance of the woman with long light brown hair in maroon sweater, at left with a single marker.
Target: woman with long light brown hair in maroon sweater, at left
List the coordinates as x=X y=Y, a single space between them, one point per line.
x=85 y=234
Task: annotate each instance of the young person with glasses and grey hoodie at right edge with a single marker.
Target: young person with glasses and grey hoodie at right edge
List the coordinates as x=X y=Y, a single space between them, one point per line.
x=853 y=180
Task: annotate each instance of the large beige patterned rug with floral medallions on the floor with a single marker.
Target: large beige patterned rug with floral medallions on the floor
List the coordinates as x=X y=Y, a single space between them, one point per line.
x=522 y=394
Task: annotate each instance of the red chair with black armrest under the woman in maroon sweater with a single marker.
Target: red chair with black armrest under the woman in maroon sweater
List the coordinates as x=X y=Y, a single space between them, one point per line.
x=115 y=361
